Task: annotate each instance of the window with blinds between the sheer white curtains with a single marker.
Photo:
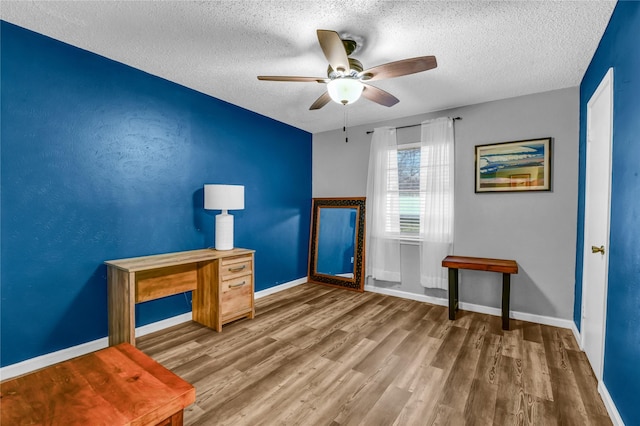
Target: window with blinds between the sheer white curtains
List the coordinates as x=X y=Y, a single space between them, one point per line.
x=404 y=180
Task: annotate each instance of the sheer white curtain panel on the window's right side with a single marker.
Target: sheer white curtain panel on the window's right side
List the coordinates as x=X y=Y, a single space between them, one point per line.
x=436 y=224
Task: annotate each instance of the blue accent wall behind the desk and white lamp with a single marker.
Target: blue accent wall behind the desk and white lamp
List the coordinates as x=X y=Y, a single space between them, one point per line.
x=101 y=161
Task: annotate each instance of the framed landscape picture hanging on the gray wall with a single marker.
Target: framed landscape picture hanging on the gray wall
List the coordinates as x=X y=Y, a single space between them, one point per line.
x=518 y=166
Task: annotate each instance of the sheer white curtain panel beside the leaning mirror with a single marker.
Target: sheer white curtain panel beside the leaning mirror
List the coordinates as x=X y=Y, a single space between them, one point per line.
x=383 y=246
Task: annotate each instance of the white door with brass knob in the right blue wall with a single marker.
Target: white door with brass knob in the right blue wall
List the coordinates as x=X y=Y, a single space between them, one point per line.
x=596 y=225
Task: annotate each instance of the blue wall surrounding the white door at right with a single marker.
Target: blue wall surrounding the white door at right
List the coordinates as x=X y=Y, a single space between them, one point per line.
x=620 y=49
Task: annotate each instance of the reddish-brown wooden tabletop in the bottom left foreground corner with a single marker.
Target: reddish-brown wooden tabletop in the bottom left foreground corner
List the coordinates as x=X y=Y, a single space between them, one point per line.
x=118 y=385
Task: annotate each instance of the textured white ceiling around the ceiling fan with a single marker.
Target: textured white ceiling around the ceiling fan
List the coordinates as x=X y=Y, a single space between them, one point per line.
x=486 y=50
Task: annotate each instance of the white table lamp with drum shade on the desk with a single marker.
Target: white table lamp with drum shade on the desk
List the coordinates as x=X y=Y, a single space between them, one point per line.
x=224 y=197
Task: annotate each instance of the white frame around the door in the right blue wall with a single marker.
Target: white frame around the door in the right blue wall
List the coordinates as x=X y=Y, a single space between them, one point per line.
x=606 y=84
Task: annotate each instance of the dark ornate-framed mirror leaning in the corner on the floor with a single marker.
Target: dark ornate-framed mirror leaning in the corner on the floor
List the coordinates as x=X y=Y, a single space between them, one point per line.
x=336 y=252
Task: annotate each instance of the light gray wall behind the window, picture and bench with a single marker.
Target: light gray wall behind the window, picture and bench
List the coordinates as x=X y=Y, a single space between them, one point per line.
x=536 y=229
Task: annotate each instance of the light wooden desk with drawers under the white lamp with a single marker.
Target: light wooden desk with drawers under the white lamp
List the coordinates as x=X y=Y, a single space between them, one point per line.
x=221 y=281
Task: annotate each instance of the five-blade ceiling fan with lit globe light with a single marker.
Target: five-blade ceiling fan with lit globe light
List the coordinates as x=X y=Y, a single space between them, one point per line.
x=346 y=80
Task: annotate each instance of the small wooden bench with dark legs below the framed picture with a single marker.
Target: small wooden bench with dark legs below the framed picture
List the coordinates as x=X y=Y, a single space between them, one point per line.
x=507 y=267
